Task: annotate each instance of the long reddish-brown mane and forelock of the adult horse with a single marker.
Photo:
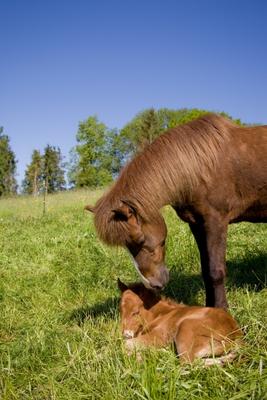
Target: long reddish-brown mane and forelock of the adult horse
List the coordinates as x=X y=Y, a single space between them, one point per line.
x=166 y=172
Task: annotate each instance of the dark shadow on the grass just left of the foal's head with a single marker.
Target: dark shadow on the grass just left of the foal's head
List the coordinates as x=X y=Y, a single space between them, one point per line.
x=106 y=309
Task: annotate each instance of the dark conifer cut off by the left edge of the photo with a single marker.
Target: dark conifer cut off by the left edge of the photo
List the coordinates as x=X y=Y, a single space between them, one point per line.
x=8 y=184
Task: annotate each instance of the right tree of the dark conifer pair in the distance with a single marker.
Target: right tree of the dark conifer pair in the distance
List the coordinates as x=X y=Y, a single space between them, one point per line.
x=53 y=170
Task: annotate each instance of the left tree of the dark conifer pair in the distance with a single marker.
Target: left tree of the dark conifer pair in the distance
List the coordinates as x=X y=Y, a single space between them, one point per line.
x=33 y=180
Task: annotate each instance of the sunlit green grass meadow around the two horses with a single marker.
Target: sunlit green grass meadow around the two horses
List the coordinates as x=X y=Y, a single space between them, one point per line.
x=59 y=324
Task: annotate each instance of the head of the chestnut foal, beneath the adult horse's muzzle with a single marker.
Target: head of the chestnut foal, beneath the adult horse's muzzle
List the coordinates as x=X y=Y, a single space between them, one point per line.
x=135 y=299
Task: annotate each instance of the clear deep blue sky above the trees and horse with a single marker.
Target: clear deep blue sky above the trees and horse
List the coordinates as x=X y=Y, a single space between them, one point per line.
x=61 y=61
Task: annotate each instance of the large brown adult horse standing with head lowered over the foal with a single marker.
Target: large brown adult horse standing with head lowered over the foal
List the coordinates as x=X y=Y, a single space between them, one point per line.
x=212 y=172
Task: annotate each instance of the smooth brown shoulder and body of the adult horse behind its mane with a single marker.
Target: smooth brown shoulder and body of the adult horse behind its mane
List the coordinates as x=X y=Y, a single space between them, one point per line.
x=237 y=189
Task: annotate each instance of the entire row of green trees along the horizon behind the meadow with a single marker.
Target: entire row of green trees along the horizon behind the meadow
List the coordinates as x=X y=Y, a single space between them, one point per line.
x=97 y=157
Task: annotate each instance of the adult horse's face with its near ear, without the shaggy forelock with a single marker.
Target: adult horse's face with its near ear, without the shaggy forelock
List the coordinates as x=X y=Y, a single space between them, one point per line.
x=146 y=243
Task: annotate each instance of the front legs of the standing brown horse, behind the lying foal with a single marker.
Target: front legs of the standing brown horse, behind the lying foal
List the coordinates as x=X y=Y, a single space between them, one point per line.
x=211 y=240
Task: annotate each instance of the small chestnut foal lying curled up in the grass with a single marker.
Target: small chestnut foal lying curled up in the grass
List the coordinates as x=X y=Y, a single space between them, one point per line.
x=198 y=332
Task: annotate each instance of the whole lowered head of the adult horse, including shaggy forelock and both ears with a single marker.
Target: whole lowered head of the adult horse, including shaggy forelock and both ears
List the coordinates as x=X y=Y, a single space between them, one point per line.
x=145 y=239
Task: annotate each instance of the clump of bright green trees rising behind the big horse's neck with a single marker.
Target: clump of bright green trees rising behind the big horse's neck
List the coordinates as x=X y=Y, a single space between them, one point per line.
x=101 y=152
